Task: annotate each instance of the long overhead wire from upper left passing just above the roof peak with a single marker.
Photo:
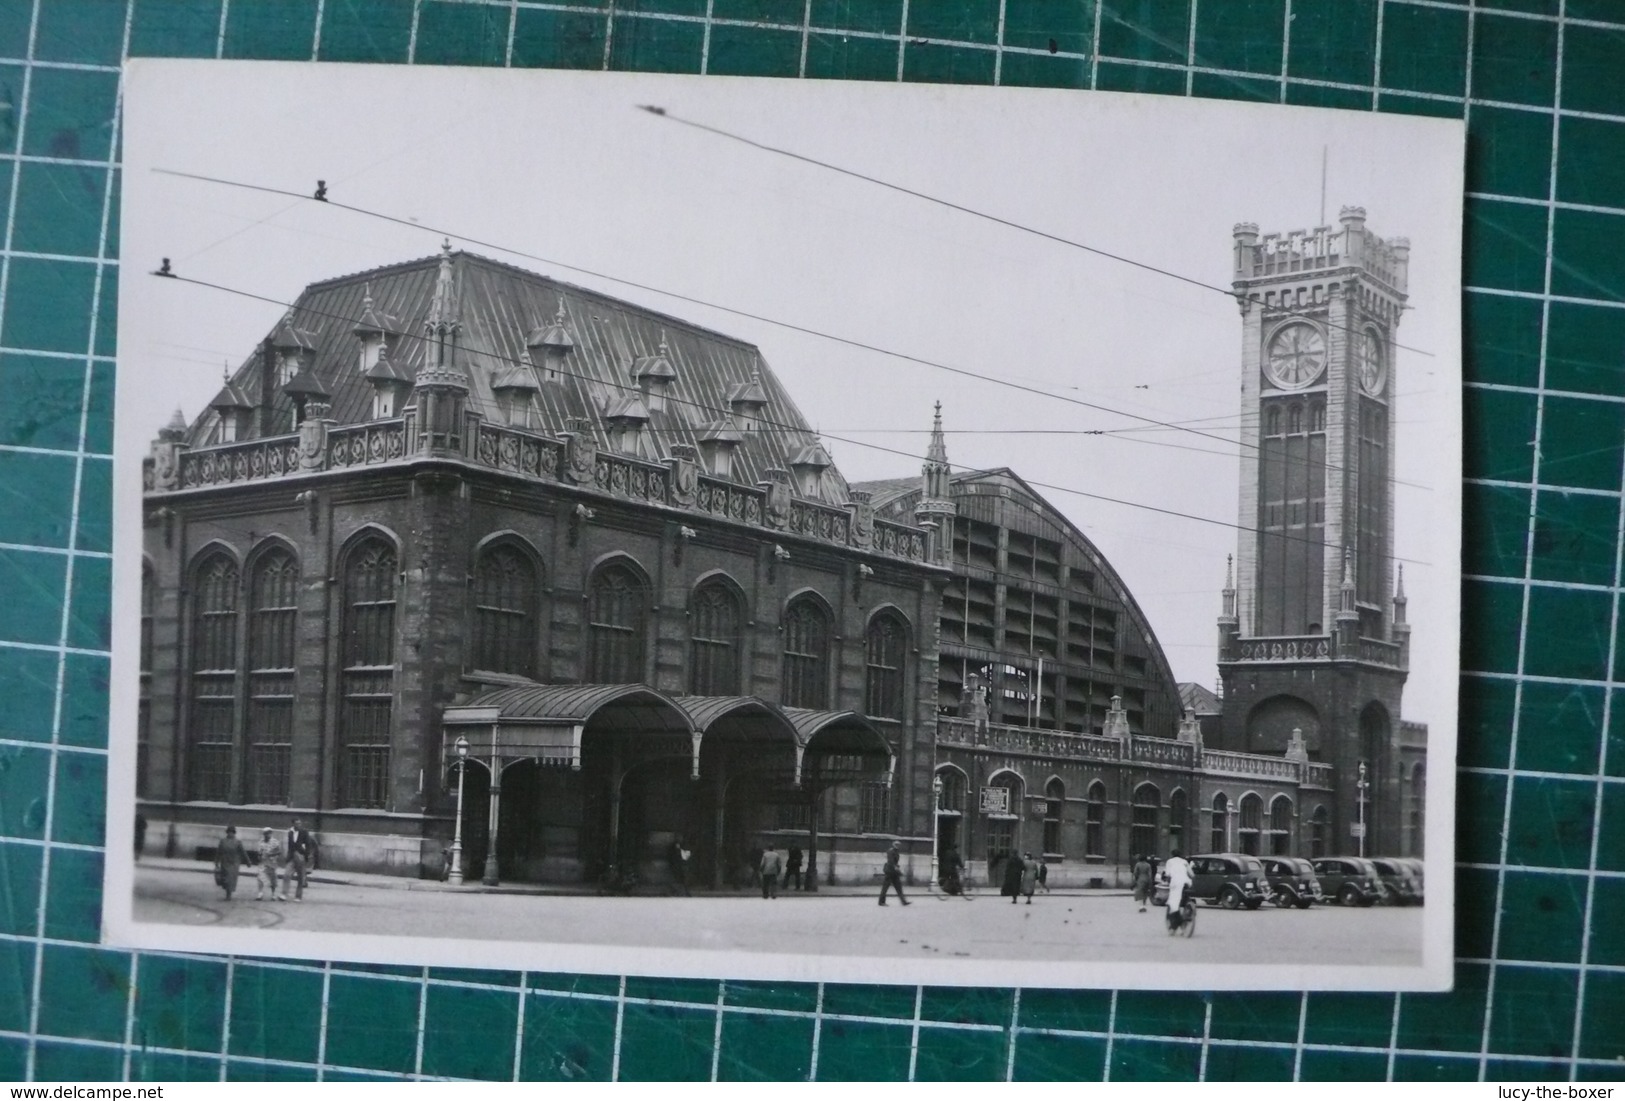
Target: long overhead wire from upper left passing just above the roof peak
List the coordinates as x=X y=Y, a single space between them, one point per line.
x=714 y=306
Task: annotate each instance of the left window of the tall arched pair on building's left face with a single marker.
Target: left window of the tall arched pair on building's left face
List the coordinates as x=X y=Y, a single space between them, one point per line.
x=215 y=589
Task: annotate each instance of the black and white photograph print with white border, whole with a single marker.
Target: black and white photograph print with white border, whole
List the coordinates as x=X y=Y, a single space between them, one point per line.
x=786 y=530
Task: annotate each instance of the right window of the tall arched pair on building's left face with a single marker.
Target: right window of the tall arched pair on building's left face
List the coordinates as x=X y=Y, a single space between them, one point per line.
x=274 y=613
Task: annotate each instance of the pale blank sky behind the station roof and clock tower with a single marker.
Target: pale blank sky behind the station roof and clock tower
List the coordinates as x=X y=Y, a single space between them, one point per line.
x=565 y=171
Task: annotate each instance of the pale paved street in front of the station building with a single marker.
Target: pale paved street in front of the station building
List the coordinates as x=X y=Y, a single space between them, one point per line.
x=1073 y=926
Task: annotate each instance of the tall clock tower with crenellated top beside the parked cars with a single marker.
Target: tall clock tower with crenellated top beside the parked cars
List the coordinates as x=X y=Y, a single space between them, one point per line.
x=1314 y=649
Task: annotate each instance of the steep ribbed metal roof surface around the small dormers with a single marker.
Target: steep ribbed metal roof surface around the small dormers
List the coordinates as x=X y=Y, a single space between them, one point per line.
x=500 y=308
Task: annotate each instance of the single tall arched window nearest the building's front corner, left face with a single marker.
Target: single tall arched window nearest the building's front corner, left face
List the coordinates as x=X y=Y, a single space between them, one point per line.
x=370 y=675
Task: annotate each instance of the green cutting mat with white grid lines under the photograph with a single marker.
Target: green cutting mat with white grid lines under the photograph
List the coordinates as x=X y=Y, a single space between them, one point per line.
x=1541 y=974
